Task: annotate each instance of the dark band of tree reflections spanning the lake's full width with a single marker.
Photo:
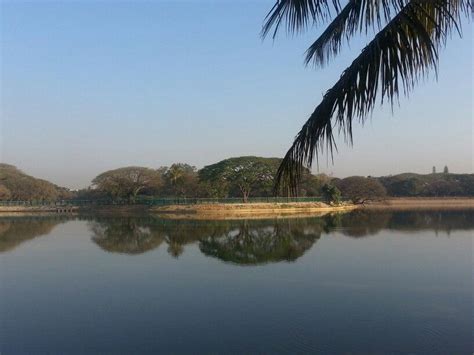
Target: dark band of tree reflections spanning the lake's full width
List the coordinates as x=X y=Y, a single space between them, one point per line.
x=246 y=242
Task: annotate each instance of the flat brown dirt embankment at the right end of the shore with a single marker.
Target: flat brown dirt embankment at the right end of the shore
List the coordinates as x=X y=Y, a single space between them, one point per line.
x=407 y=203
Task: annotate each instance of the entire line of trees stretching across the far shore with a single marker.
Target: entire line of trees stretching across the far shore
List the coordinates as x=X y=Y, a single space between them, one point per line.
x=239 y=177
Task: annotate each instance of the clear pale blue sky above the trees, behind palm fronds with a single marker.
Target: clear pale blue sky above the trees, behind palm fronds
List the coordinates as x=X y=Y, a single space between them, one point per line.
x=88 y=86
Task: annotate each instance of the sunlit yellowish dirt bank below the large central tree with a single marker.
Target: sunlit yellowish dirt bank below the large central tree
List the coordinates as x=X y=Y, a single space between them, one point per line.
x=249 y=210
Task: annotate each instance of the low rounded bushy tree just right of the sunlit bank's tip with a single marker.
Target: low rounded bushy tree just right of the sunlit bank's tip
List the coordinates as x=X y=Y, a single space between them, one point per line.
x=360 y=189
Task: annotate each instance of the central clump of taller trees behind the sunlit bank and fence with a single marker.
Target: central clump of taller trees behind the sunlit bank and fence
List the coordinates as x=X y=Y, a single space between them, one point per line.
x=240 y=177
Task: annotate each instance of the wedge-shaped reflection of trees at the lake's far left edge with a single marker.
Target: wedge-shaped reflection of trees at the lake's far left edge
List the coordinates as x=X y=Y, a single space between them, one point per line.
x=17 y=230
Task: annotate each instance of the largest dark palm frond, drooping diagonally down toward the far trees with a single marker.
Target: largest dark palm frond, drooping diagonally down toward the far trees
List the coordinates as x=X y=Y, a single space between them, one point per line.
x=399 y=55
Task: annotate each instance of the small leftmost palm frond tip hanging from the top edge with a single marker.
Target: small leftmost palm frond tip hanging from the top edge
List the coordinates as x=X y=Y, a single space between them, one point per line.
x=297 y=14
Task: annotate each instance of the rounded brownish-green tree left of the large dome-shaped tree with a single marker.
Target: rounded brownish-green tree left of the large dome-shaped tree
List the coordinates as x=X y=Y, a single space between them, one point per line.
x=127 y=182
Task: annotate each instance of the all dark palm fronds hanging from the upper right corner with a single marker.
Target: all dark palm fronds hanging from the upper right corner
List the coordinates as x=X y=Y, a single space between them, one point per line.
x=408 y=37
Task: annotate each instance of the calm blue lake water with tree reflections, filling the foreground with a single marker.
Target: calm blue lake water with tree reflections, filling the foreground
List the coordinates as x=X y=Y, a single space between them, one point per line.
x=360 y=283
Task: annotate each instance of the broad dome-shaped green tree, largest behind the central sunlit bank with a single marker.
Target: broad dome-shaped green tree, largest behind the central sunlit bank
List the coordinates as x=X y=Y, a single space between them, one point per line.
x=241 y=175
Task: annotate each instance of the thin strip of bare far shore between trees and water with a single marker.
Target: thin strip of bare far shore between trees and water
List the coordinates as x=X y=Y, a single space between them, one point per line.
x=247 y=210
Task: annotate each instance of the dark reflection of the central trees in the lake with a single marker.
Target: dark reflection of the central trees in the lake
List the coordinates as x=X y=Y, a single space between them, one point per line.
x=246 y=242
